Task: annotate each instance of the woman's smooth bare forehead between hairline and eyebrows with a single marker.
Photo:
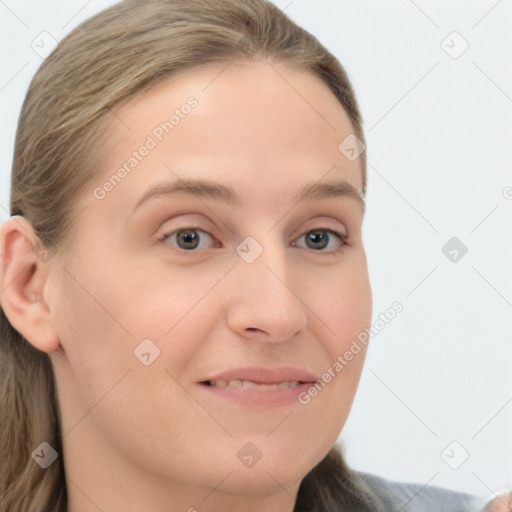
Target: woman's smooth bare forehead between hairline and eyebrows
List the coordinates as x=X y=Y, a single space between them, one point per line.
x=252 y=125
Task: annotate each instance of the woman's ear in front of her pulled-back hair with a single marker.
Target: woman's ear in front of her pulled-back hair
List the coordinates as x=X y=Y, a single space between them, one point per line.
x=24 y=284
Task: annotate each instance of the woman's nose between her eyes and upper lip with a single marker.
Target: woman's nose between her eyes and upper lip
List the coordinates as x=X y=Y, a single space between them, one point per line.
x=262 y=301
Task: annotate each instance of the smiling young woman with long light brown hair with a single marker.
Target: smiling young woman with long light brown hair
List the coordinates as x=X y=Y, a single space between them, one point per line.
x=183 y=269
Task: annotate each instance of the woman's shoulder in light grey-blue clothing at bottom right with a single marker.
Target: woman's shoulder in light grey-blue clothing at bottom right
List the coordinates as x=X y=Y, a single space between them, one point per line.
x=412 y=497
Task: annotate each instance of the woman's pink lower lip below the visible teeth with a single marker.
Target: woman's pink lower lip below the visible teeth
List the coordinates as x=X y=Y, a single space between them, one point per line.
x=278 y=397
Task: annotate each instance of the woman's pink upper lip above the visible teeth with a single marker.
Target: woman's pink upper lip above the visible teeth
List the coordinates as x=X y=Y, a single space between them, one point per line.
x=264 y=375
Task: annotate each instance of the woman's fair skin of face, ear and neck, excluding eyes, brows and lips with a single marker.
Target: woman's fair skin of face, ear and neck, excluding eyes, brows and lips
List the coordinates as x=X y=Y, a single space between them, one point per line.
x=149 y=437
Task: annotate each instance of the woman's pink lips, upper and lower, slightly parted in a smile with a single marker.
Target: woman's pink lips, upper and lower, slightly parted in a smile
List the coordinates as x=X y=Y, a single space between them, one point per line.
x=253 y=397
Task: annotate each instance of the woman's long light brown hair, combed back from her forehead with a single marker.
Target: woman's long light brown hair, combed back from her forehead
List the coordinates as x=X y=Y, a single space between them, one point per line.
x=118 y=53
